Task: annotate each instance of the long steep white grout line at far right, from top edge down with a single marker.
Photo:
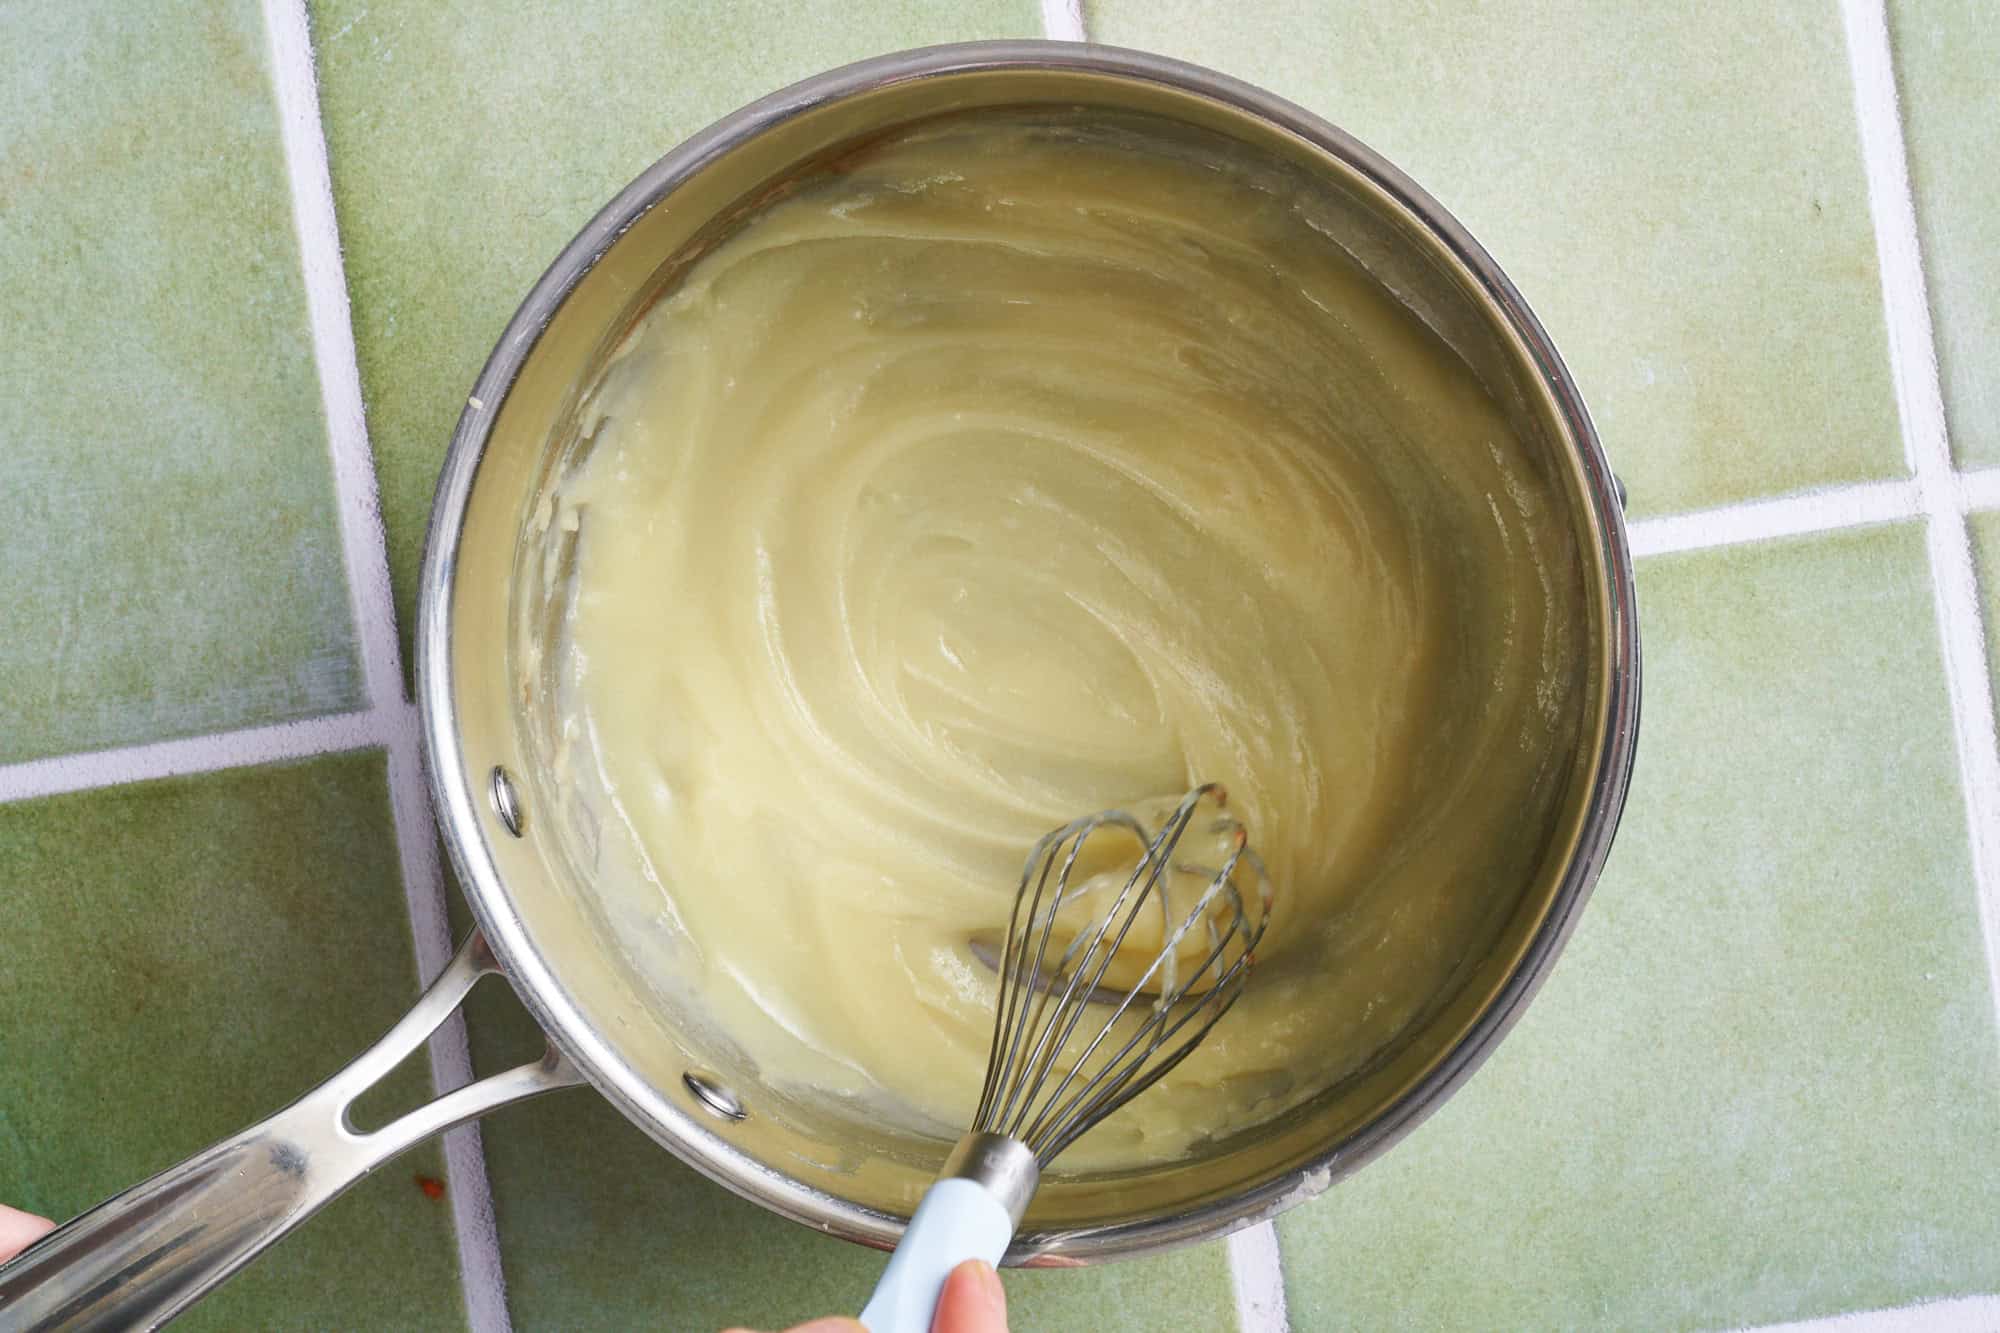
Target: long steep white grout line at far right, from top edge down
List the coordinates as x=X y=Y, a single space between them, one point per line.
x=1921 y=407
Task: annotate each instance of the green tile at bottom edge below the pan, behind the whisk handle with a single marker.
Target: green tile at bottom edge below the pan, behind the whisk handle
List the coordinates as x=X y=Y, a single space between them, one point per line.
x=603 y=1228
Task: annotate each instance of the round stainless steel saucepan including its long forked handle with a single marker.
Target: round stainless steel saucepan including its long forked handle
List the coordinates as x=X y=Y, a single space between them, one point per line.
x=525 y=846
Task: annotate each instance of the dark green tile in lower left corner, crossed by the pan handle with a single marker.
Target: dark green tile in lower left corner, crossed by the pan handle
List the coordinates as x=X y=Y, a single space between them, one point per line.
x=185 y=958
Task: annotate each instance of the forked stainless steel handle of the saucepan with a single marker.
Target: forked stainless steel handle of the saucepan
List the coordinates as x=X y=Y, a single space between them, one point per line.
x=145 y=1256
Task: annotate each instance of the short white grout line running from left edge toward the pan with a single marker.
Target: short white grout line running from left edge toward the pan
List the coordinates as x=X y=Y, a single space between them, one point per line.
x=231 y=750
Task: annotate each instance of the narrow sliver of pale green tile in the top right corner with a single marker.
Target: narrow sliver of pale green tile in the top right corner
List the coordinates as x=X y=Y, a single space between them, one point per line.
x=1947 y=53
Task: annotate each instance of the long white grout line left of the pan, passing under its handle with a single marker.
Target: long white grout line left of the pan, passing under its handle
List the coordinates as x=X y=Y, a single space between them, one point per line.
x=375 y=621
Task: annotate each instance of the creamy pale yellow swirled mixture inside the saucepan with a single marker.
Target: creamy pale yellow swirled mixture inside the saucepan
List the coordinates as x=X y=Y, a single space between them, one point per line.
x=1023 y=469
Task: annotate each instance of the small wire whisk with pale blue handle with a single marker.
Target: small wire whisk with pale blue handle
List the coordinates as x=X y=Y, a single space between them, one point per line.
x=1075 y=1040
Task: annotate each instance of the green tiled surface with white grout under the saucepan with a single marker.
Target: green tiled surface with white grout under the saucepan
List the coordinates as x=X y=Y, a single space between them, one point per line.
x=1763 y=1084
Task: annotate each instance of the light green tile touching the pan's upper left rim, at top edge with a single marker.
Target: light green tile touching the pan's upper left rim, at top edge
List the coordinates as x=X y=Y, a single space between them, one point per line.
x=473 y=141
